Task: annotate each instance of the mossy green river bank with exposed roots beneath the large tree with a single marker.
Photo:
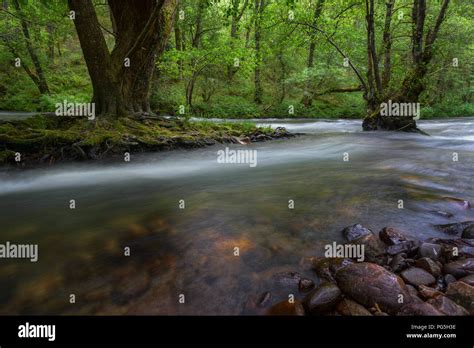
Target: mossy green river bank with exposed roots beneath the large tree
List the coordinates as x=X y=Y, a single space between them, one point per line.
x=46 y=139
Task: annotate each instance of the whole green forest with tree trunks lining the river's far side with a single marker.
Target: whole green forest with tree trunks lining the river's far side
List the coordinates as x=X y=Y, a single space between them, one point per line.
x=239 y=58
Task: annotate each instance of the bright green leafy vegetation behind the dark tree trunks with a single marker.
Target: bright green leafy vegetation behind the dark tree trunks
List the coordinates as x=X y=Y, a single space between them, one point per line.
x=247 y=58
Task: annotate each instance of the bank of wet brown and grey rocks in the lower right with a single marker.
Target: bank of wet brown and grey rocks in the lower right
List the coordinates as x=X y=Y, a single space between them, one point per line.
x=399 y=276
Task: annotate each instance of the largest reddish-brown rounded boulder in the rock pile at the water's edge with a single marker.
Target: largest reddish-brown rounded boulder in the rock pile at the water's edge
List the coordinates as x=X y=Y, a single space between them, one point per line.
x=371 y=284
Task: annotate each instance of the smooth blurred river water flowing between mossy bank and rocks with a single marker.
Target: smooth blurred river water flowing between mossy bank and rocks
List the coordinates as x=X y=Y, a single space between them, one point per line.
x=192 y=251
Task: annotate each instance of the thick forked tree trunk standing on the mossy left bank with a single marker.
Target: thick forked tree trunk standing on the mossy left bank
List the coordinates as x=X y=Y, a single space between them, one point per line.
x=121 y=78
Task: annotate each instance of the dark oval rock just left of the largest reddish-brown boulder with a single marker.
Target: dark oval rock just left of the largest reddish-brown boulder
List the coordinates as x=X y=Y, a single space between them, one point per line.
x=322 y=299
